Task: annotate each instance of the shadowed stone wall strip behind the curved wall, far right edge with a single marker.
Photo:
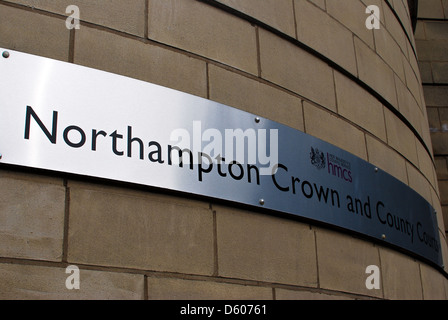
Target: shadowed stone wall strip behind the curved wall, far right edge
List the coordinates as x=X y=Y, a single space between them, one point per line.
x=432 y=44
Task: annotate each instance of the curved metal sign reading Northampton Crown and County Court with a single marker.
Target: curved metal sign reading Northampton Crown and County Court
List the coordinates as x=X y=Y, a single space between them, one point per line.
x=68 y=118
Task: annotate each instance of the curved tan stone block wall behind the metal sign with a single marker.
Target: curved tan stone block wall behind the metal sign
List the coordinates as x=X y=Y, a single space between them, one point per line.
x=310 y=64
